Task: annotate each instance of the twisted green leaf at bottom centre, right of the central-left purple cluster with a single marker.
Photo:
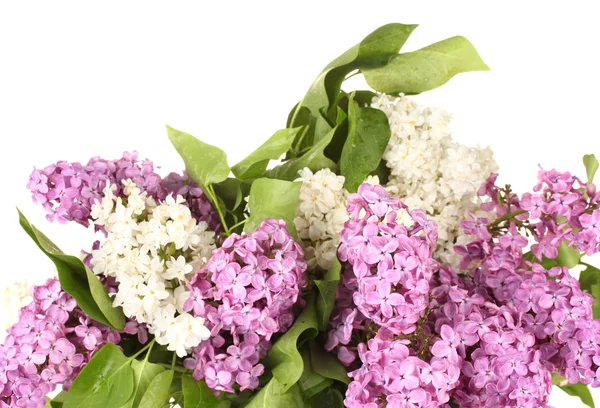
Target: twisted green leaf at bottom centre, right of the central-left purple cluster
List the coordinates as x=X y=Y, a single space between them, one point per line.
x=284 y=359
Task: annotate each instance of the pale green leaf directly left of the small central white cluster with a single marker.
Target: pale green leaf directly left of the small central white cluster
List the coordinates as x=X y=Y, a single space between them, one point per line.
x=271 y=198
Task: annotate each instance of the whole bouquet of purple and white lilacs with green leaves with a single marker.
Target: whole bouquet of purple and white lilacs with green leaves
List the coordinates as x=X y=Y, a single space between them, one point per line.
x=360 y=257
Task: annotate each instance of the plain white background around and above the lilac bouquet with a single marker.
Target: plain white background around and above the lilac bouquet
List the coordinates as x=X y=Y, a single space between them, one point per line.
x=79 y=79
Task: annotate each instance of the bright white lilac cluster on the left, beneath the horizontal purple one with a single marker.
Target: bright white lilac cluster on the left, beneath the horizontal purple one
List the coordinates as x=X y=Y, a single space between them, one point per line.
x=153 y=250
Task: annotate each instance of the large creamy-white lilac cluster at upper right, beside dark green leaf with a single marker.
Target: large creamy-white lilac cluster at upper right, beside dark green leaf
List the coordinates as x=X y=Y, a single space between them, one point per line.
x=431 y=171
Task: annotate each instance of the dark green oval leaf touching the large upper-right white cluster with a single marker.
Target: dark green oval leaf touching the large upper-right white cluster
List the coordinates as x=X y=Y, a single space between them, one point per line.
x=368 y=136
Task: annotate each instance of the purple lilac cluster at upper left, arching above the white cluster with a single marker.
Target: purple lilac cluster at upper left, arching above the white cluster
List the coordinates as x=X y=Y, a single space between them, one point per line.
x=67 y=191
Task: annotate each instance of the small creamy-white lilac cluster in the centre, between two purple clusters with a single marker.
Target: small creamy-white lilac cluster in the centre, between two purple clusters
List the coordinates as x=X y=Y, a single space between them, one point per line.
x=320 y=215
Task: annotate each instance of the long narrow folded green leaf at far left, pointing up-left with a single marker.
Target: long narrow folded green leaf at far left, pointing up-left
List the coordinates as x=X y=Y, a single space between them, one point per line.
x=77 y=280
